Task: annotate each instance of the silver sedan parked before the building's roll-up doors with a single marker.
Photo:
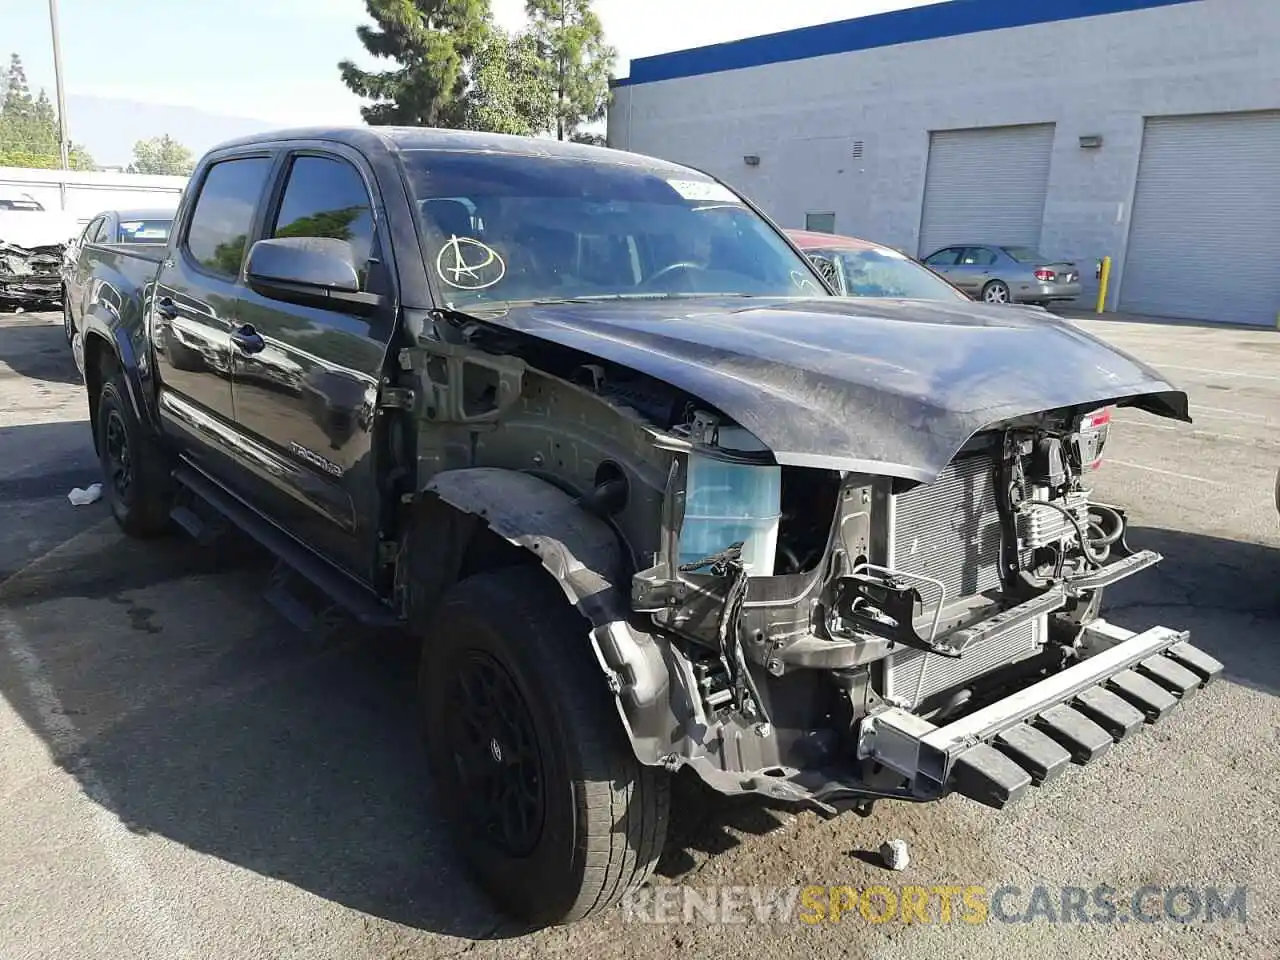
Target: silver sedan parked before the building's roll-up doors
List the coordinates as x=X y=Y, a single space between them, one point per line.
x=1007 y=275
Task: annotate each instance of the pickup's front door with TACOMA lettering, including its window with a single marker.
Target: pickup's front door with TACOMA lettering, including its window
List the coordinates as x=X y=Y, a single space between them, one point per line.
x=307 y=397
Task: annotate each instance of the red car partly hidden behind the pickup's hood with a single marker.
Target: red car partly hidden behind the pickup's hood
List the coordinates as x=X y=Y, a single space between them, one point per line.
x=858 y=268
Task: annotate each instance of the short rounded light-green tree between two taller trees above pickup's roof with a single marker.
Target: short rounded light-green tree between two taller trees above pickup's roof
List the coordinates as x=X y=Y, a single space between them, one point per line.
x=510 y=92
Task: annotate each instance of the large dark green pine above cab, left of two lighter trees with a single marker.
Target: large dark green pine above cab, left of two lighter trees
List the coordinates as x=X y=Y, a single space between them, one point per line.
x=433 y=43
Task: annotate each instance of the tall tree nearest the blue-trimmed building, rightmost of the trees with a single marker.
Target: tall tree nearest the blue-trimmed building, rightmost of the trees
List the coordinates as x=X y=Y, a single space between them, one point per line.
x=572 y=47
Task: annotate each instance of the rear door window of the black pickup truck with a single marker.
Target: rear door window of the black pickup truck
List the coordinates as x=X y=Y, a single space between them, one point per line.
x=223 y=217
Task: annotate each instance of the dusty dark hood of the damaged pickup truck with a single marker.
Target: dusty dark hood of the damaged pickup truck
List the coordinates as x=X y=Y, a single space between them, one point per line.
x=889 y=387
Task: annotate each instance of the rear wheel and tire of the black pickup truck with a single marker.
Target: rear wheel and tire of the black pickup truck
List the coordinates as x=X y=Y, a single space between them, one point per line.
x=136 y=478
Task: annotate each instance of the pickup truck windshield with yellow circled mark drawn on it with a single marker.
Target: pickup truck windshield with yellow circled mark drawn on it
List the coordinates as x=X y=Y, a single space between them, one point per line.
x=502 y=228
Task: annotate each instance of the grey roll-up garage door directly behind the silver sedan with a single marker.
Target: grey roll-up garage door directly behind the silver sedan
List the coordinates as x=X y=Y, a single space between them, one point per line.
x=986 y=186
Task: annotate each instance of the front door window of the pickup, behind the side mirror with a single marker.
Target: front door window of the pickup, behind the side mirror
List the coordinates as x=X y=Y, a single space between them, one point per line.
x=327 y=198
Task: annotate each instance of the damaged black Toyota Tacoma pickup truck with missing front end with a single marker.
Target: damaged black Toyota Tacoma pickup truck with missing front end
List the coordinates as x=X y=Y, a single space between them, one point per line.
x=648 y=492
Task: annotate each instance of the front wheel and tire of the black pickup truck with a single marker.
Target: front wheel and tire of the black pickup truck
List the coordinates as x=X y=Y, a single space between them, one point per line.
x=600 y=819
